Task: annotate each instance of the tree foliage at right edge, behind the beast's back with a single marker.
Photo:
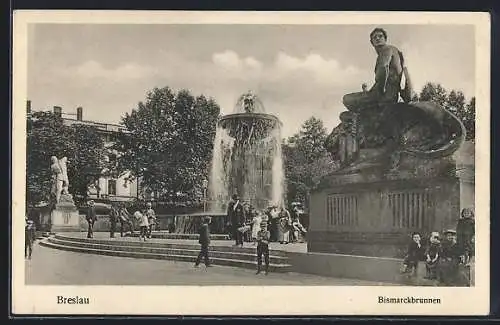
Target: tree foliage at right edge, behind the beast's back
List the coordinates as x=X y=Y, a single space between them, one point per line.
x=455 y=102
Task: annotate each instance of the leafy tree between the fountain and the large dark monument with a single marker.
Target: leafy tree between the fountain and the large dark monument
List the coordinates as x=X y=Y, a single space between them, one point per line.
x=306 y=160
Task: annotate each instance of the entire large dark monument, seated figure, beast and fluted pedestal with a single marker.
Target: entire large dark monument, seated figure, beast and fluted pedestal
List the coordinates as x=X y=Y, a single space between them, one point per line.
x=397 y=173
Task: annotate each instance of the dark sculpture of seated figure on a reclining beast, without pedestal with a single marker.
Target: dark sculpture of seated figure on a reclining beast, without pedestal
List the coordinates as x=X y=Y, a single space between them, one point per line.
x=382 y=123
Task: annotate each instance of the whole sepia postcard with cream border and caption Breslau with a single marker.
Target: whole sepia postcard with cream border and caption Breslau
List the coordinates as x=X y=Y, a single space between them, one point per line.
x=212 y=155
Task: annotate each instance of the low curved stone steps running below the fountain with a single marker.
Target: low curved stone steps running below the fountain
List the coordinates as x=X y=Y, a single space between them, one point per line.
x=173 y=252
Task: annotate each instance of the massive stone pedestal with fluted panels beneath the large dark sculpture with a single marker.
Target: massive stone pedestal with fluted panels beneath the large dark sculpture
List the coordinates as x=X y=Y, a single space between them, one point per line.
x=370 y=209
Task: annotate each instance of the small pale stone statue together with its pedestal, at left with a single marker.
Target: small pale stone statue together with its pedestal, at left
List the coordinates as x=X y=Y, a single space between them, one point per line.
x=64 y=215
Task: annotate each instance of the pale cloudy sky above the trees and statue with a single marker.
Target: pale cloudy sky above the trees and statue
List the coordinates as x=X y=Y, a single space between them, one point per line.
x=298 y=71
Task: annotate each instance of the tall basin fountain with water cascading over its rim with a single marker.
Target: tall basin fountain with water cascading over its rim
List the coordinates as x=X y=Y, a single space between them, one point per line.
x=247 y=157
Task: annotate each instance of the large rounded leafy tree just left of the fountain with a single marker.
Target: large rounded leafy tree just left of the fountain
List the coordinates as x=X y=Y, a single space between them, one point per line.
x=169 y=139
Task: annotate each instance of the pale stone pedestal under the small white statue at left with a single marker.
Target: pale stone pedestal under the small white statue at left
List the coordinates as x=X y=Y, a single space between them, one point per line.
x=65 y=216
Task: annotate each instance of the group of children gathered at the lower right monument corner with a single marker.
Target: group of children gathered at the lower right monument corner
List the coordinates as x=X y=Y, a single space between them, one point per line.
x=443 y=257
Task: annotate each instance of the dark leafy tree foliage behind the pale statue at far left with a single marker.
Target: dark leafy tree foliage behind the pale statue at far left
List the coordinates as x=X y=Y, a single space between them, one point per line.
x=47 y=136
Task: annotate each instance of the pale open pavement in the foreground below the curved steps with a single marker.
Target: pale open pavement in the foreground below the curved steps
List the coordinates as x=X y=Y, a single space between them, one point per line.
x=56 y=267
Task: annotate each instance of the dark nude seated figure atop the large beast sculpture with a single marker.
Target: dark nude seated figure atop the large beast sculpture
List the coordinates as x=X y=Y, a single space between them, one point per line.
x=389 y=69
